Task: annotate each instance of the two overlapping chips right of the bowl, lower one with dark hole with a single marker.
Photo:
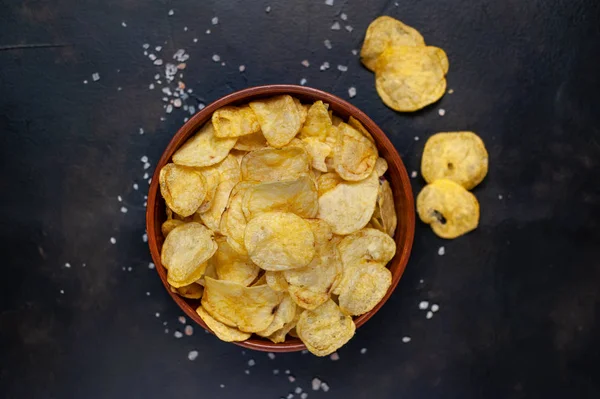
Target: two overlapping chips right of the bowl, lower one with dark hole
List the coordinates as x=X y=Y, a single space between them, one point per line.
x=452 y=163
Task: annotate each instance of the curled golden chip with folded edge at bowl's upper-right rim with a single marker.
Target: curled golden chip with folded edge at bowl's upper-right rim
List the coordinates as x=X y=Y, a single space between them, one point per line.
x=354 y=156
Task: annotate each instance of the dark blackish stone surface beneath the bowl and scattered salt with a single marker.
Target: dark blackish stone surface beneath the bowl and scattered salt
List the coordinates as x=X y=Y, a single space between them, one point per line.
x=519 y=298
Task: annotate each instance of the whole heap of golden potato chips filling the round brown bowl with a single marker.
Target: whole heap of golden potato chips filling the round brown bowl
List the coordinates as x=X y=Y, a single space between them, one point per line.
x=280 y=220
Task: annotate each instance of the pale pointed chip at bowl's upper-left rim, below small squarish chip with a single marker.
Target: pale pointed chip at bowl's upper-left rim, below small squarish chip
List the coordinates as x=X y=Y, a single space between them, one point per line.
x=204 y=149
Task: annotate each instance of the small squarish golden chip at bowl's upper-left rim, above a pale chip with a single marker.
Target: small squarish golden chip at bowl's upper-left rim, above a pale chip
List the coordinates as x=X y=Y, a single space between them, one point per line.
x=234 y=122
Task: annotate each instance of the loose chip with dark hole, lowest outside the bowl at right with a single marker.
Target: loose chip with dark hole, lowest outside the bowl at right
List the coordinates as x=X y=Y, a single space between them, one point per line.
x=448 y=208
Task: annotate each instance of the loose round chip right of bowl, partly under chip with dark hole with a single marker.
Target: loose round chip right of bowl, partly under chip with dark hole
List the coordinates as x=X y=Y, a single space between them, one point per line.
x=457 y=156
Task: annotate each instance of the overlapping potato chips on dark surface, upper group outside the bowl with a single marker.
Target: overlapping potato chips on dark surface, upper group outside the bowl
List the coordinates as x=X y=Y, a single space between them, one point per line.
x=408 y=74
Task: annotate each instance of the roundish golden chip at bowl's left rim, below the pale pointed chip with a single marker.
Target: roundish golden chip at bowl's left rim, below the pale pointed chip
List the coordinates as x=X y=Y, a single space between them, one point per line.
x=182 y=188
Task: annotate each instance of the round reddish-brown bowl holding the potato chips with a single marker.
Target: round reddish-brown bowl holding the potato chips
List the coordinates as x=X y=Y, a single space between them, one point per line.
x=396 y=175
